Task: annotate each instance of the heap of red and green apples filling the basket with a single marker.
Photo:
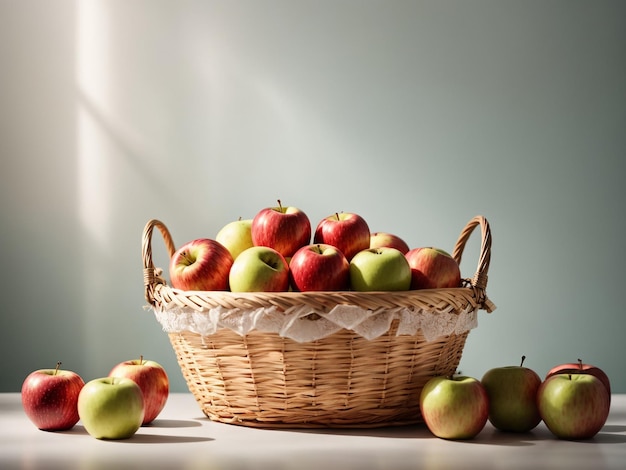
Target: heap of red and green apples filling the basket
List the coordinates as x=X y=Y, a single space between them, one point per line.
x=277 y=251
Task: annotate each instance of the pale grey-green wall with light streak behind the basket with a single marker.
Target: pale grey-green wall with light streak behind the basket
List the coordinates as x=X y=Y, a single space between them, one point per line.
x=416 y=114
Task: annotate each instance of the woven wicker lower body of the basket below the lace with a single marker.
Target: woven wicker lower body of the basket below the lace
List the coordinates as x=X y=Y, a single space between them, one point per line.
x=341 y=381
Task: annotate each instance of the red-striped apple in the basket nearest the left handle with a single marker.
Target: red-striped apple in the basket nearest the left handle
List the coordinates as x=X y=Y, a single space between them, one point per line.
x=201 y=264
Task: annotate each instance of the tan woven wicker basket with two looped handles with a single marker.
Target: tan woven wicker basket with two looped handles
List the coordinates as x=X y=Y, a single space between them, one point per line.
x=263 y=379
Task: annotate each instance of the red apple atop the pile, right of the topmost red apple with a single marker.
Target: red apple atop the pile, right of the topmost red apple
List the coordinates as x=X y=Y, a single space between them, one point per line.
x=347 y=231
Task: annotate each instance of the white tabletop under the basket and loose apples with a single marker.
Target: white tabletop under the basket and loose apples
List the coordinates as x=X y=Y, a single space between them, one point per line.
x=183 y=438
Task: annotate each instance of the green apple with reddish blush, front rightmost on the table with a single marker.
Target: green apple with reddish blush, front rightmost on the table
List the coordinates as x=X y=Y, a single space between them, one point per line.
x=573 y=406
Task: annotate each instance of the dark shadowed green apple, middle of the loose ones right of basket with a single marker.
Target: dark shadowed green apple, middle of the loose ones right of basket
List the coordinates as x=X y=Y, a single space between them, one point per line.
x=512 y=392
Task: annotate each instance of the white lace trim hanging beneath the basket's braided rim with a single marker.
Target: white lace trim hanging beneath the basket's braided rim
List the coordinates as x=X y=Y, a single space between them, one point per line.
x=298 y=325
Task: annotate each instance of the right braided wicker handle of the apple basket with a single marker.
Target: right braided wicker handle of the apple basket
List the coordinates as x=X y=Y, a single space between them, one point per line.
x=479 y=281
